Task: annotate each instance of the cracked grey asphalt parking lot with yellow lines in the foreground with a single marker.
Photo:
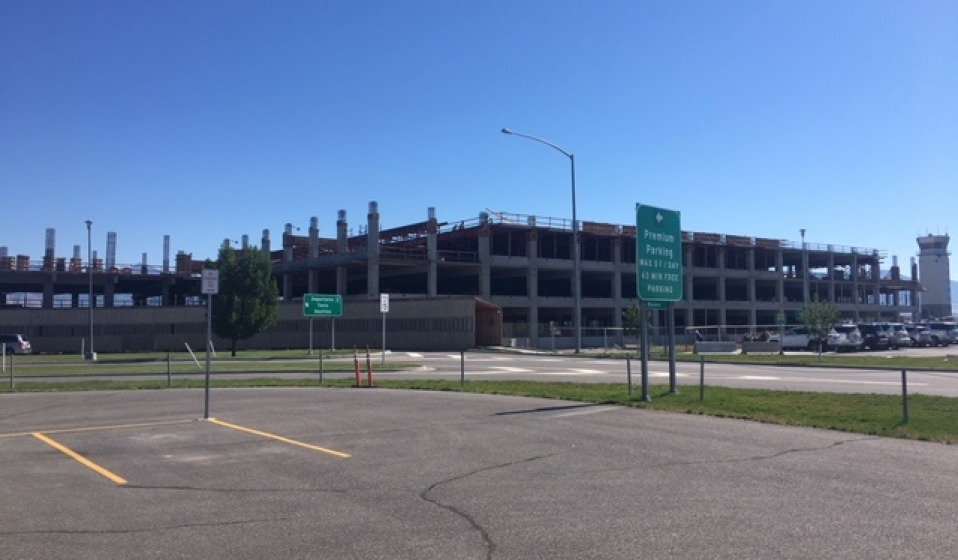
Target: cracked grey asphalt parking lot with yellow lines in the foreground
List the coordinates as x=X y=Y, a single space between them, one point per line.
x=368 y=473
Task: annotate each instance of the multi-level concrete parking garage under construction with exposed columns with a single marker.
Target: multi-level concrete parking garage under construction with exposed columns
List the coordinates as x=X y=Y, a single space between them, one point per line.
x=519 y=271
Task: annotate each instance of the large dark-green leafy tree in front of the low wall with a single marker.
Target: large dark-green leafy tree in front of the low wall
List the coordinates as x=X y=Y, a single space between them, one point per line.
x=246 y=304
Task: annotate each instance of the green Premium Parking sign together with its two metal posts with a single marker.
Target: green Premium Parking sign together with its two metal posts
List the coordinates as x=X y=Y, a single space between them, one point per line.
x=659 y=277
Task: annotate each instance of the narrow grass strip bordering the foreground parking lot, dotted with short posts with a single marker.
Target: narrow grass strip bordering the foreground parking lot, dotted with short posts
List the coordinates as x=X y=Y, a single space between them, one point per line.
x=932 y=418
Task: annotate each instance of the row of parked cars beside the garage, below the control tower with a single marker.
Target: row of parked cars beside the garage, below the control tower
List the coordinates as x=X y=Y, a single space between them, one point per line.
x=873 y=336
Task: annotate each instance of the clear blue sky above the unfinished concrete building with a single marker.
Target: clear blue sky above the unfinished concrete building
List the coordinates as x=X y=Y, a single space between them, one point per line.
x=217 y=118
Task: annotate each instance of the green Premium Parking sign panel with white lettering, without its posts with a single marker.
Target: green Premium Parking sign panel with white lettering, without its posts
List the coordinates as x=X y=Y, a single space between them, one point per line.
x=658 y=254
